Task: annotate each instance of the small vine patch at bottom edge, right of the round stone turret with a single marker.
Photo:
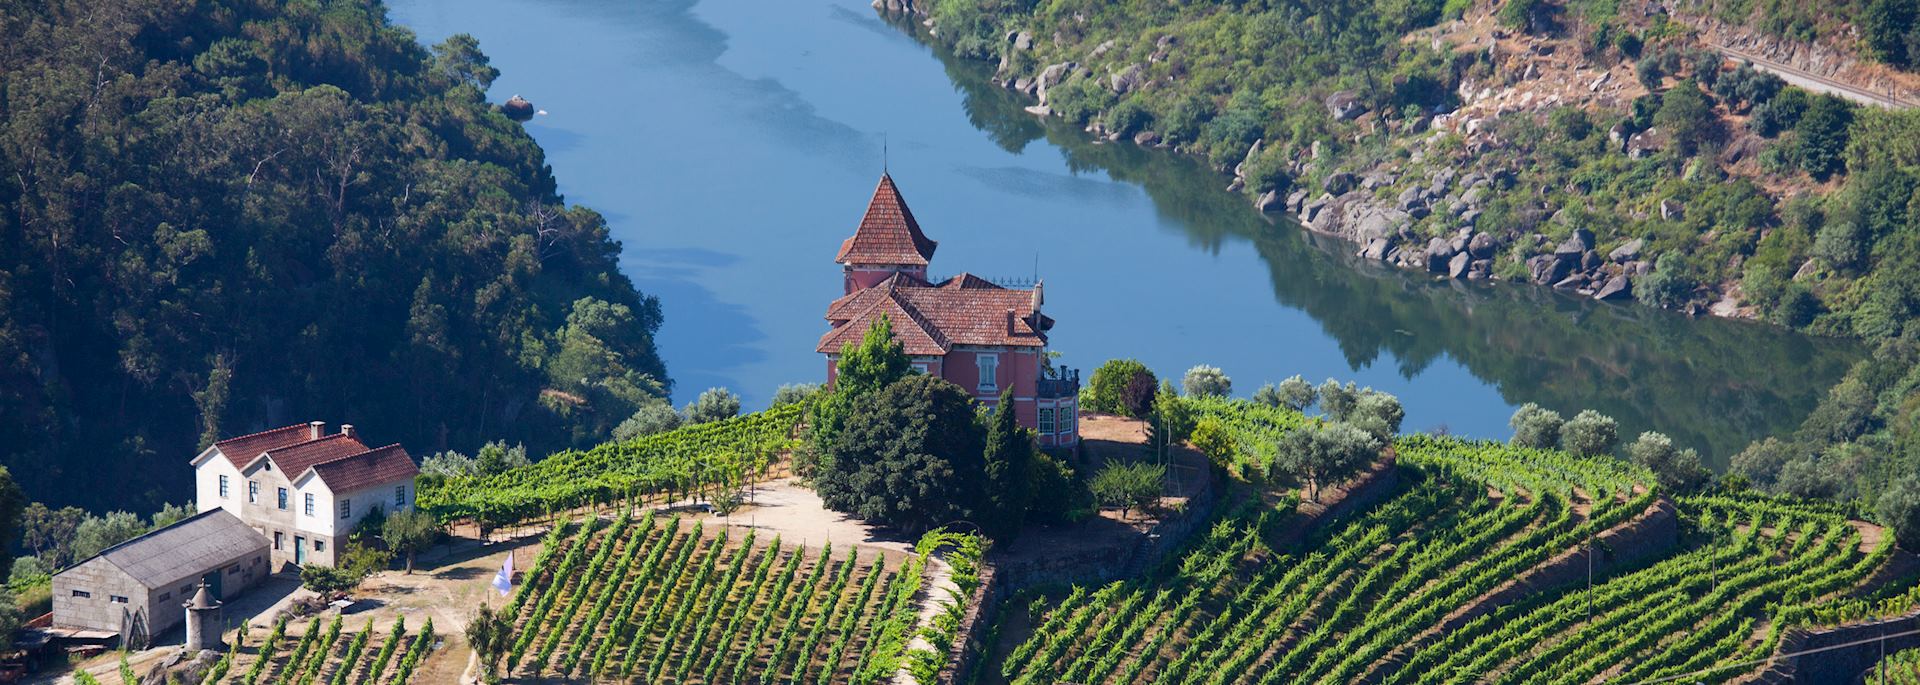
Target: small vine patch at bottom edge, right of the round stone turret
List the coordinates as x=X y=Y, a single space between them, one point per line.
x=327 y=655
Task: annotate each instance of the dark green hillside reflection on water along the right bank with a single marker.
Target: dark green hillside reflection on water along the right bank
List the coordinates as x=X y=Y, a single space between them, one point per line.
x=1710 y=383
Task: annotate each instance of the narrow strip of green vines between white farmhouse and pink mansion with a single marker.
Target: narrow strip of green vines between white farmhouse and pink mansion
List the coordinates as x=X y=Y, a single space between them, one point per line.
x=694 y=460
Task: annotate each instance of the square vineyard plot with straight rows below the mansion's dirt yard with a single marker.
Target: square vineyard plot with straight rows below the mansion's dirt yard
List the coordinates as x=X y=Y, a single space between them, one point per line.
x=665 y=602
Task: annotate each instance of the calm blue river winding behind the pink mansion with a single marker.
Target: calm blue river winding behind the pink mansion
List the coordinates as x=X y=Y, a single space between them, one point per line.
x=732 y=145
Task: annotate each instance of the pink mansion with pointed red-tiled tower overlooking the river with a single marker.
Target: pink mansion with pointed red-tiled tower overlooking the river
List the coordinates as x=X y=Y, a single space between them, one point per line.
x=974 y=333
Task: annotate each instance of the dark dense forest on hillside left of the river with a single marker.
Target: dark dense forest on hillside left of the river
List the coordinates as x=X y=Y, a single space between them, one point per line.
x=229 y=216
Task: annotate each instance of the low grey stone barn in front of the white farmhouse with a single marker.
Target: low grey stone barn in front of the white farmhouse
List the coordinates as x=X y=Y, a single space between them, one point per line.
x=139 y=588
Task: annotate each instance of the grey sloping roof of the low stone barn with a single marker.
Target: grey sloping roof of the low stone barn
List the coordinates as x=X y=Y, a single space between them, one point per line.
x=185 y=550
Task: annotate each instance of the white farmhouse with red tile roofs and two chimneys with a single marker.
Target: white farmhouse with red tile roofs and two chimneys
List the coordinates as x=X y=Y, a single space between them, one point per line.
x=304 y=488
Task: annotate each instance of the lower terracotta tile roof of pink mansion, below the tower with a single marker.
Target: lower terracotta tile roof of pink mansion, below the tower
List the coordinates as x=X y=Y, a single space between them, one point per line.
x=932 y=319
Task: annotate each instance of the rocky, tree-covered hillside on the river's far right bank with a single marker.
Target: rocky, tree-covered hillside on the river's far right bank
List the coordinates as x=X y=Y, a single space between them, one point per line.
x=1735 y=191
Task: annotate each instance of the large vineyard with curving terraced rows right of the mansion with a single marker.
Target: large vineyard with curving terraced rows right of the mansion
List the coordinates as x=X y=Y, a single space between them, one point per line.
x=1393 y=594
